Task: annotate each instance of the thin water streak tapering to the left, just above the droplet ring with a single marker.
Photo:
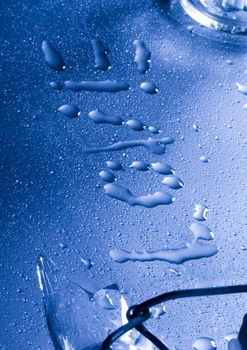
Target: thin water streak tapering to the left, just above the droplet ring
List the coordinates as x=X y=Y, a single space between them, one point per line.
x=156 y=146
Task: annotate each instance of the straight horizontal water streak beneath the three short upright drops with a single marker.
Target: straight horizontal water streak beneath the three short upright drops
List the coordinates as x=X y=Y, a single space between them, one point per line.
x=98 y=86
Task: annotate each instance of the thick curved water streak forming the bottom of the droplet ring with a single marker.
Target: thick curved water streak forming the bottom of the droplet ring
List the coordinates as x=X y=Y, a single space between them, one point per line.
x=148 y=201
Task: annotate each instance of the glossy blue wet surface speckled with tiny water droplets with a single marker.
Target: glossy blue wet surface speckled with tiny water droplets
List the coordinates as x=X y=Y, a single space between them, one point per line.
x=53 y=197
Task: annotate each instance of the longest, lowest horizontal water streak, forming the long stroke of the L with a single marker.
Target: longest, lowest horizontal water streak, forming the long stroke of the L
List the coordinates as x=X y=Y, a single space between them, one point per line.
x=193 y=250
